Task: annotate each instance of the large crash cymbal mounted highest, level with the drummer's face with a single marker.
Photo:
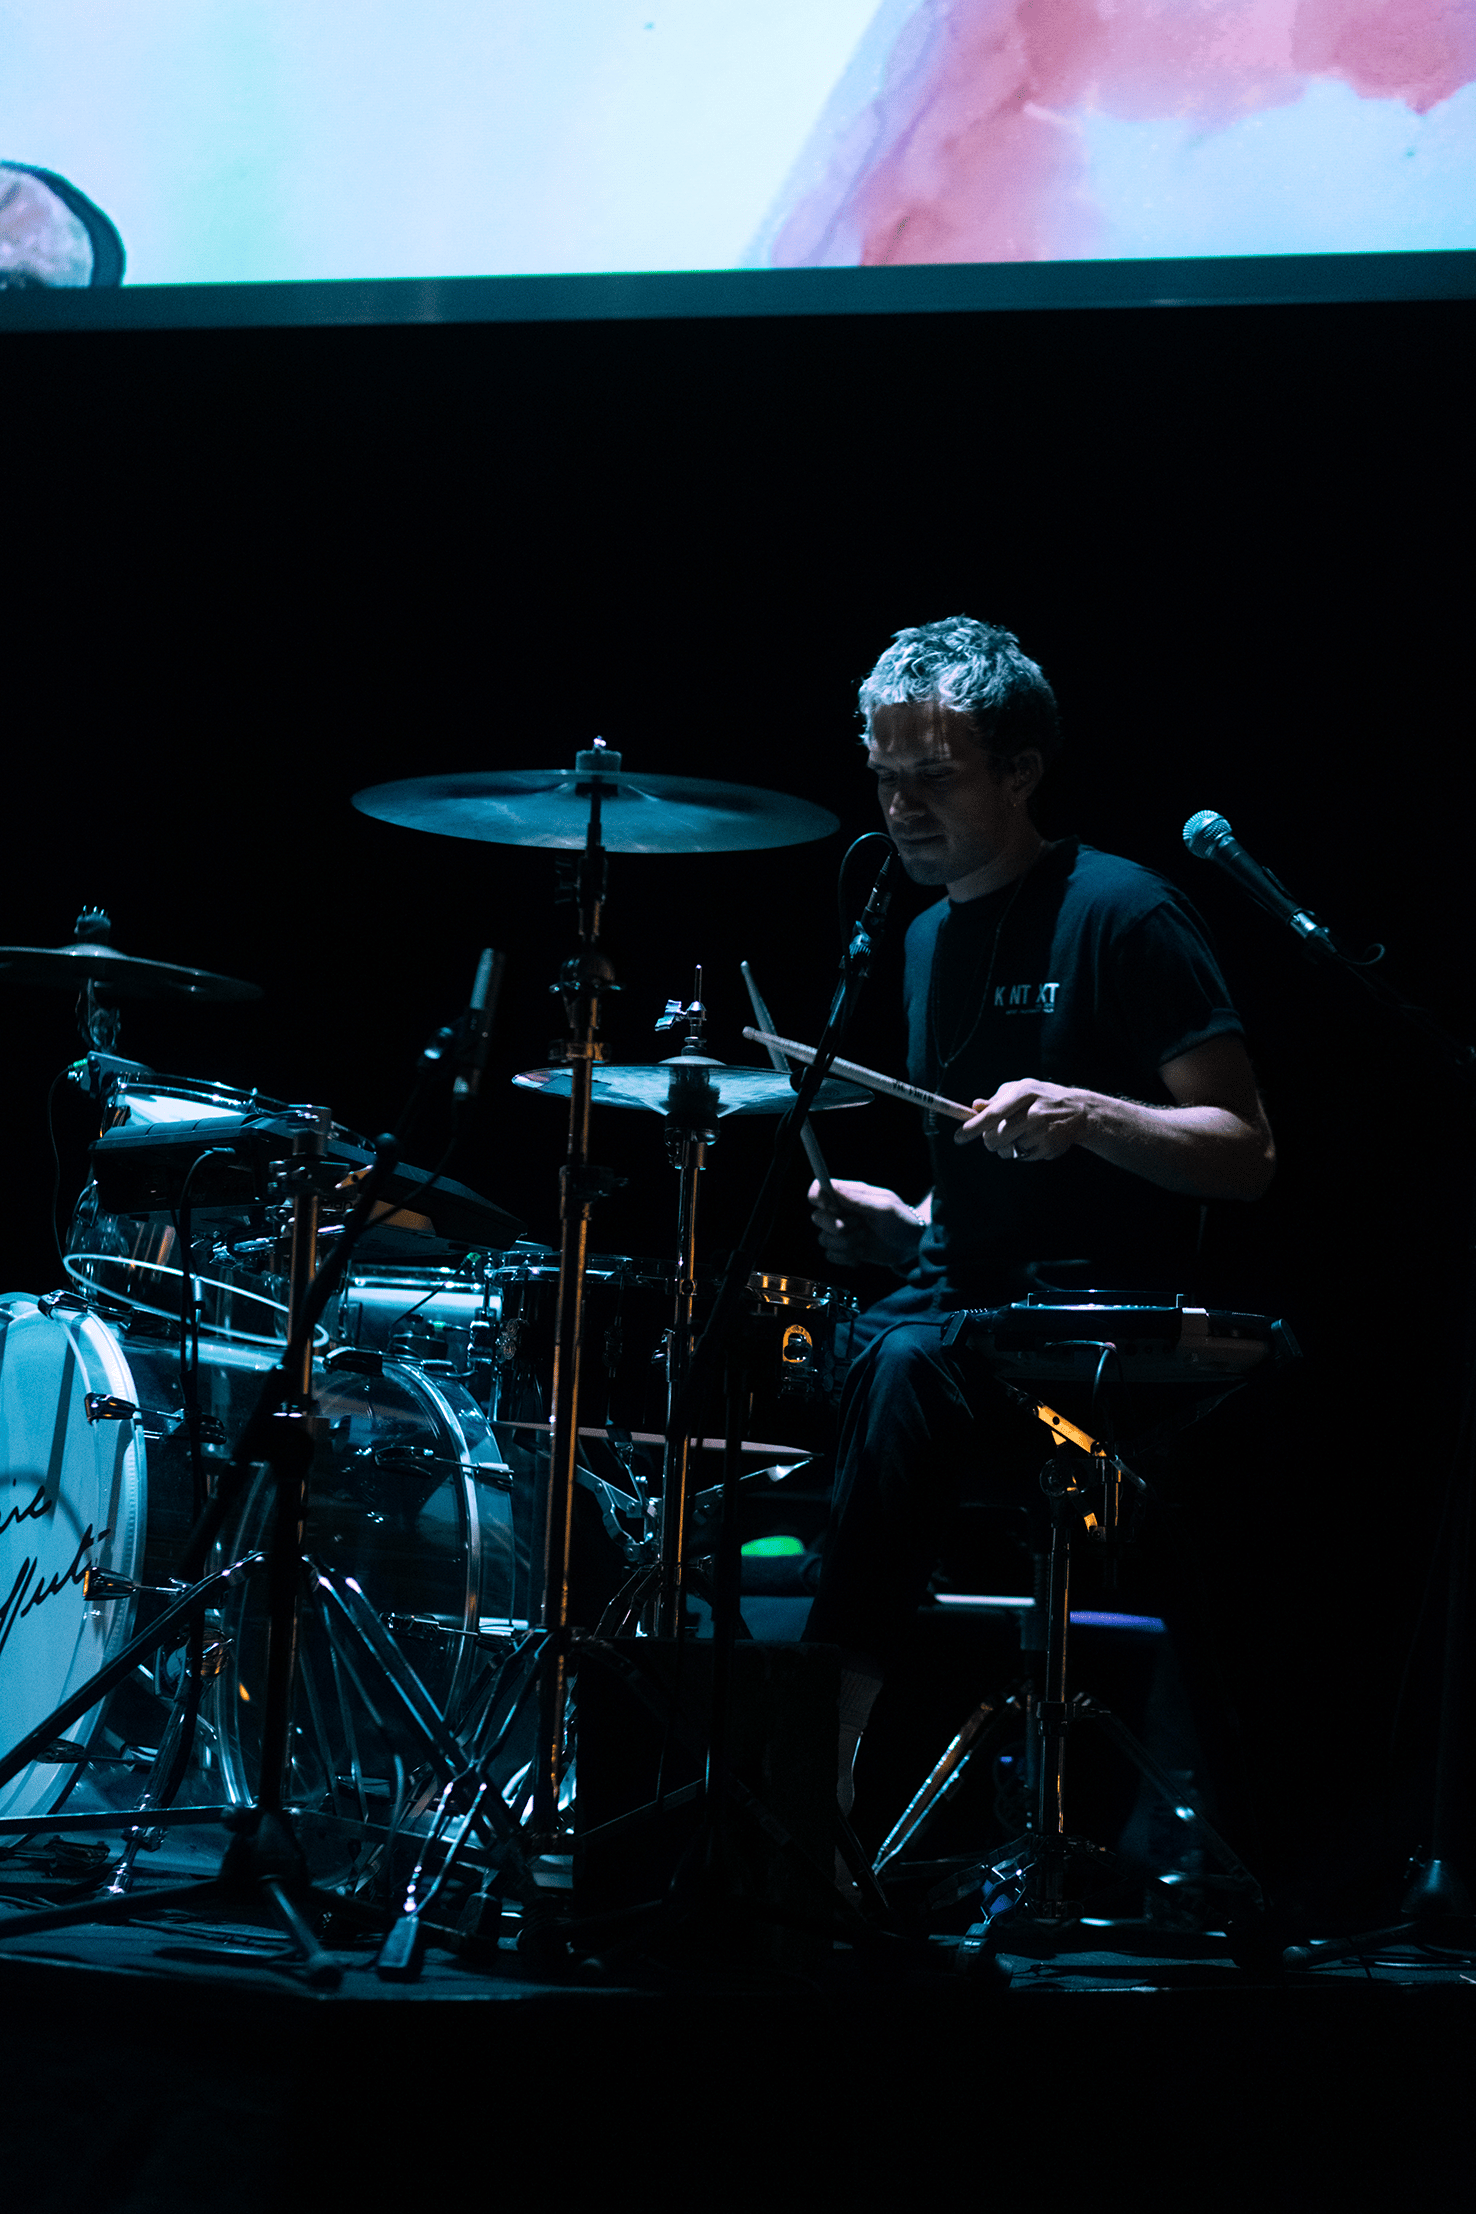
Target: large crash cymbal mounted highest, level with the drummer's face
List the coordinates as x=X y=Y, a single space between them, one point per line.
x=550 y=807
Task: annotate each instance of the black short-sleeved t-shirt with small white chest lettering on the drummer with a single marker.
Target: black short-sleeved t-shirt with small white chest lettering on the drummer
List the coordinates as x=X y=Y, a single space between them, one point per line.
x=1088 y=971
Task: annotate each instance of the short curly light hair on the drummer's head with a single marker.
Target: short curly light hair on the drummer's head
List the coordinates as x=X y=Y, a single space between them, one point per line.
x=979 y=672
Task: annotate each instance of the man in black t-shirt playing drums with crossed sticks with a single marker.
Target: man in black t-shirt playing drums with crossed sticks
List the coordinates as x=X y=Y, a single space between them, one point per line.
x=1074 y=1002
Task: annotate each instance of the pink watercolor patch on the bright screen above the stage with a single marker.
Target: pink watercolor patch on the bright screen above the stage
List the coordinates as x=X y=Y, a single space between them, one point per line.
x=973 y=149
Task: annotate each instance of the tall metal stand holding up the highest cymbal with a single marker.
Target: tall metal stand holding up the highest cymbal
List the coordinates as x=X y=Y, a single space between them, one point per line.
x=583 y=982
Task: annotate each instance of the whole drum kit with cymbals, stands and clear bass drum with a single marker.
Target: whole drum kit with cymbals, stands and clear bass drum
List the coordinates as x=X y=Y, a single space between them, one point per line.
x=371 y=1664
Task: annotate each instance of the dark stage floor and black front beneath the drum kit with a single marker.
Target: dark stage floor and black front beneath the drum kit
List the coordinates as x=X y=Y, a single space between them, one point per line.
x=174 y=2065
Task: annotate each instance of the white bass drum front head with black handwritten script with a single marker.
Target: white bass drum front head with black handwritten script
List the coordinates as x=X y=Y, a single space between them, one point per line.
x=94 y=1473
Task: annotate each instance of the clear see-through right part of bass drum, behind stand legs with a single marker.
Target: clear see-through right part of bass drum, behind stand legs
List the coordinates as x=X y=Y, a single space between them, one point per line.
x=413 y=1500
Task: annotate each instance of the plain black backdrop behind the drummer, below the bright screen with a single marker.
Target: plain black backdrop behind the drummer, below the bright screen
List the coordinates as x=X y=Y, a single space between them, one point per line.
x=247 y=575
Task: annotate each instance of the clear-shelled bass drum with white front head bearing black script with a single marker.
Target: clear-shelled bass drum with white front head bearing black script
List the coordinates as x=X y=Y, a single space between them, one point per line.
x=408 y=1493
